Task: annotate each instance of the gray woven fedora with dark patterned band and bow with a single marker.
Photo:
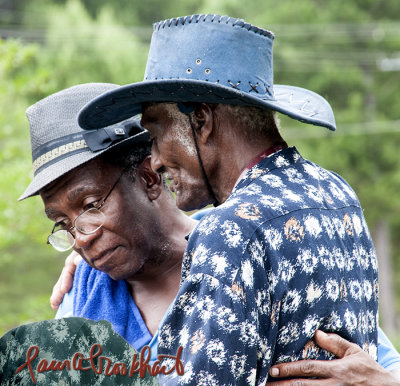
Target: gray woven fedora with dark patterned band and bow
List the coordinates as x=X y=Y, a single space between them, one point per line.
x=60 y=145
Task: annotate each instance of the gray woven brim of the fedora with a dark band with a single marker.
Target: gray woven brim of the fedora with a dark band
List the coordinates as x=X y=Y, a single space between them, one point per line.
x=63 y=166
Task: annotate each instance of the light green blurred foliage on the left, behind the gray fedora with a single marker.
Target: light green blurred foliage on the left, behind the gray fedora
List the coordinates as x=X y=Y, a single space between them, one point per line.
x=96 y=50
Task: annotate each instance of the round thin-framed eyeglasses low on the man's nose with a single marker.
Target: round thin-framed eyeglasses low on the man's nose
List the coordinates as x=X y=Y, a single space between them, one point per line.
x=88 y=222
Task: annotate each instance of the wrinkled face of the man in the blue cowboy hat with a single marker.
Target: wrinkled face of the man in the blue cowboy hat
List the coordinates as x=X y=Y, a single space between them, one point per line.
x=173 y=151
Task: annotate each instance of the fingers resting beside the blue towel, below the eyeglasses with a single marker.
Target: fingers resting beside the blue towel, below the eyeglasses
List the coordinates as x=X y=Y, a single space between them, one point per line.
x=64 y=283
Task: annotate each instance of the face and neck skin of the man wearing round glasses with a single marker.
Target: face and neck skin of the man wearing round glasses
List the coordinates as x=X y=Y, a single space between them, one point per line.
x=142 y=240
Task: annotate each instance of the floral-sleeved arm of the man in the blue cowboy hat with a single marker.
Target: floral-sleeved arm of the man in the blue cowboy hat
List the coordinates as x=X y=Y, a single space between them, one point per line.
x=221 y=315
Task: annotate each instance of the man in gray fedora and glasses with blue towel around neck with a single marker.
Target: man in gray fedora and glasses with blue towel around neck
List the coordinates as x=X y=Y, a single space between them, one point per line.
x=108 y=205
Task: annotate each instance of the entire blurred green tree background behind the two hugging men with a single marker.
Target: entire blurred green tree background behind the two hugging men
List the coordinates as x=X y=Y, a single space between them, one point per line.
x=347 y=51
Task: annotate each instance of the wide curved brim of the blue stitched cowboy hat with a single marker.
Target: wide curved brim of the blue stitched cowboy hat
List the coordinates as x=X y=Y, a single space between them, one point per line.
x=121 y=103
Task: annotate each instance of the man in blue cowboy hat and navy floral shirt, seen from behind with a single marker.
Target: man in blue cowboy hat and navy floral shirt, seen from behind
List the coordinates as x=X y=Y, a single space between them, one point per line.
x=287 y=250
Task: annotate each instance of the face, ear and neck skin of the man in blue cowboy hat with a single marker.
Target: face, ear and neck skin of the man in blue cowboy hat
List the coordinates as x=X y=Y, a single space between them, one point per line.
x=223 y=167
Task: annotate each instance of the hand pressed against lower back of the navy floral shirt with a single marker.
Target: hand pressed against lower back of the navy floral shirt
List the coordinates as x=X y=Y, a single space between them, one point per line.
x=355 y=367
